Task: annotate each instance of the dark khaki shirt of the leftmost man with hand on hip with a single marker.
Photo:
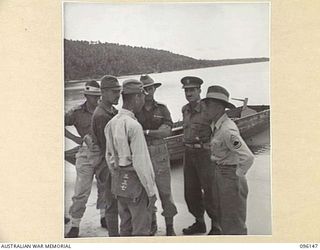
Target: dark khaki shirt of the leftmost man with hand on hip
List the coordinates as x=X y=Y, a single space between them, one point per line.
x=80 y=117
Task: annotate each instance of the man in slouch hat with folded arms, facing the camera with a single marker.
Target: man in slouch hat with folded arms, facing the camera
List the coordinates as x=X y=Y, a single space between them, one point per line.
x=156 y=121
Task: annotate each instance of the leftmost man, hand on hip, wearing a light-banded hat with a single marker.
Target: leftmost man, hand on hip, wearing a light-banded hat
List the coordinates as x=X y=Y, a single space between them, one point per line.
x=80 y=117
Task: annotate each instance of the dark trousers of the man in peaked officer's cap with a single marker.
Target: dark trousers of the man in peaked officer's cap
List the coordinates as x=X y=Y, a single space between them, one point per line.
x=199 y=179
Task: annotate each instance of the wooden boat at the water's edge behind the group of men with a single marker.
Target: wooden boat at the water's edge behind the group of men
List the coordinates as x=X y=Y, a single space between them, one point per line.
x=250 y=119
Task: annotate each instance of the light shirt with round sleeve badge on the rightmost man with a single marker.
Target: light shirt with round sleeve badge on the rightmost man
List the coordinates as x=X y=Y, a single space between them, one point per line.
x=228 y=147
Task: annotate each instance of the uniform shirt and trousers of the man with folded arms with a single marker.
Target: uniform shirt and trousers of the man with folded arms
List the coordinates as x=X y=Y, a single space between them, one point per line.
x=151 y=120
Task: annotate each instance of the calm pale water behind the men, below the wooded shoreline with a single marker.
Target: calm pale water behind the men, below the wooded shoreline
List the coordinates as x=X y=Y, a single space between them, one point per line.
x=245 y=80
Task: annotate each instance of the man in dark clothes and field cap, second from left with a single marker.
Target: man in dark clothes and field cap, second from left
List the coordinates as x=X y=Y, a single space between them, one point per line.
x=110 y=94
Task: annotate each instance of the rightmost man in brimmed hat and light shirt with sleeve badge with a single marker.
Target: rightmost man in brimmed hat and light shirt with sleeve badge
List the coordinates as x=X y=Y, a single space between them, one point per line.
x=233 y=159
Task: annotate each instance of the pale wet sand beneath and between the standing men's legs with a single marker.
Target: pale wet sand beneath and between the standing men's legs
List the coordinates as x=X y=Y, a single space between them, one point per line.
x=258 y=209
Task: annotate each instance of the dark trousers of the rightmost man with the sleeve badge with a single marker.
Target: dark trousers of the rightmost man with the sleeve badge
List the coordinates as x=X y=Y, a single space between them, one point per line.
x=232 y=195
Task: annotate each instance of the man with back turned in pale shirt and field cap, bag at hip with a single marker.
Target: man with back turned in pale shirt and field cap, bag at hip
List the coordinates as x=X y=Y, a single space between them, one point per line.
x=133 y=181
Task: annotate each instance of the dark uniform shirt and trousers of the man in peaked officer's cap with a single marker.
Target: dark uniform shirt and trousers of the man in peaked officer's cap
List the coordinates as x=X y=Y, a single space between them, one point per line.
x=198 y=168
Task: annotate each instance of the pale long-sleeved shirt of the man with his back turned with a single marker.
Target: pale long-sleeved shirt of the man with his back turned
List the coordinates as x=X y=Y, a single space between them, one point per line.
x=126 y=145
